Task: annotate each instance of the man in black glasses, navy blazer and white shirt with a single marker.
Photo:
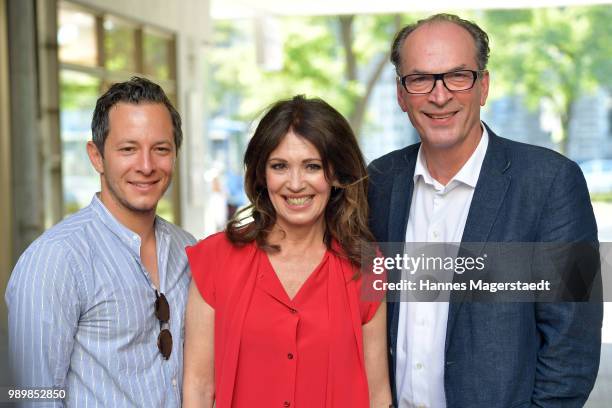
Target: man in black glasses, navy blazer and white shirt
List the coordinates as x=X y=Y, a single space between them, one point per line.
x=463 y=183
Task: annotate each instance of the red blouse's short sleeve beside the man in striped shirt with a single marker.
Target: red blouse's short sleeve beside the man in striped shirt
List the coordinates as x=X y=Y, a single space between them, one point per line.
x=202 y=262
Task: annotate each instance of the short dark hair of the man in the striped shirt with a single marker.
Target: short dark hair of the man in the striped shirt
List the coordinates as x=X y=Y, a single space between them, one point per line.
x=136 y=90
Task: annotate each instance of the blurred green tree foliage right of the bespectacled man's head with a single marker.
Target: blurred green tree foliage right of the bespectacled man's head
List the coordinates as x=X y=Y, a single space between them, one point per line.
x=553 y=54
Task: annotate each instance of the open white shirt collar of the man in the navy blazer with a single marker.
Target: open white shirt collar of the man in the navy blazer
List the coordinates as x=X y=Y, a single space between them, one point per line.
x=468 y=174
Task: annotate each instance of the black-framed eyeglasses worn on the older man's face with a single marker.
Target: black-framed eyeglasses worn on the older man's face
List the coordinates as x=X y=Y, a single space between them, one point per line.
x=420 y=84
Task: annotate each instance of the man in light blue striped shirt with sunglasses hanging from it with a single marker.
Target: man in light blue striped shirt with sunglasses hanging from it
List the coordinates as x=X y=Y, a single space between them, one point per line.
x=96 y=303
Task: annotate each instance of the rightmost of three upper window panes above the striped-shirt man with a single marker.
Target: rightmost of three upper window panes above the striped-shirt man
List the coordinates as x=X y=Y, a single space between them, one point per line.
x=158 y=54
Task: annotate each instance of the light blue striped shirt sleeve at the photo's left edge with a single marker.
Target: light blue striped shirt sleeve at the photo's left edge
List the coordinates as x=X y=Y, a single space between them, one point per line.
x=43 y=315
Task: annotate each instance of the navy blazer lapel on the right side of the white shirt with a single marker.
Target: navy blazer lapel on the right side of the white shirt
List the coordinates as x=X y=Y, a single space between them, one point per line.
x=488 y=197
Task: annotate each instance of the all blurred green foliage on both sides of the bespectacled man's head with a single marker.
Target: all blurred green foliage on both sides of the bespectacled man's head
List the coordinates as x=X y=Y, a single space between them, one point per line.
x=548 y=56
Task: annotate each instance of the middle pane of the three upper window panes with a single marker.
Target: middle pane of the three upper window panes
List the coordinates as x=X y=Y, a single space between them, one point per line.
x=119 y=45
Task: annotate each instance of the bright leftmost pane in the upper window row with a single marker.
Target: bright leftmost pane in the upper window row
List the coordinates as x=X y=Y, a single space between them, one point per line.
x=76 y=36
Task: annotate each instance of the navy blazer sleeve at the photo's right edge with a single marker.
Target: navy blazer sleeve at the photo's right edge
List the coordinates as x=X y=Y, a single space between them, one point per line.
x=569 y=332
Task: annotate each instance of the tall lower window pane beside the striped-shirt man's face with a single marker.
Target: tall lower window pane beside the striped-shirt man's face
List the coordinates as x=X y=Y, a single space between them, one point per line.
x=78 y=95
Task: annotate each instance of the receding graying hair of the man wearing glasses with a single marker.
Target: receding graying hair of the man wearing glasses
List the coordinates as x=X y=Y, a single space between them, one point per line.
x=481 y=39
